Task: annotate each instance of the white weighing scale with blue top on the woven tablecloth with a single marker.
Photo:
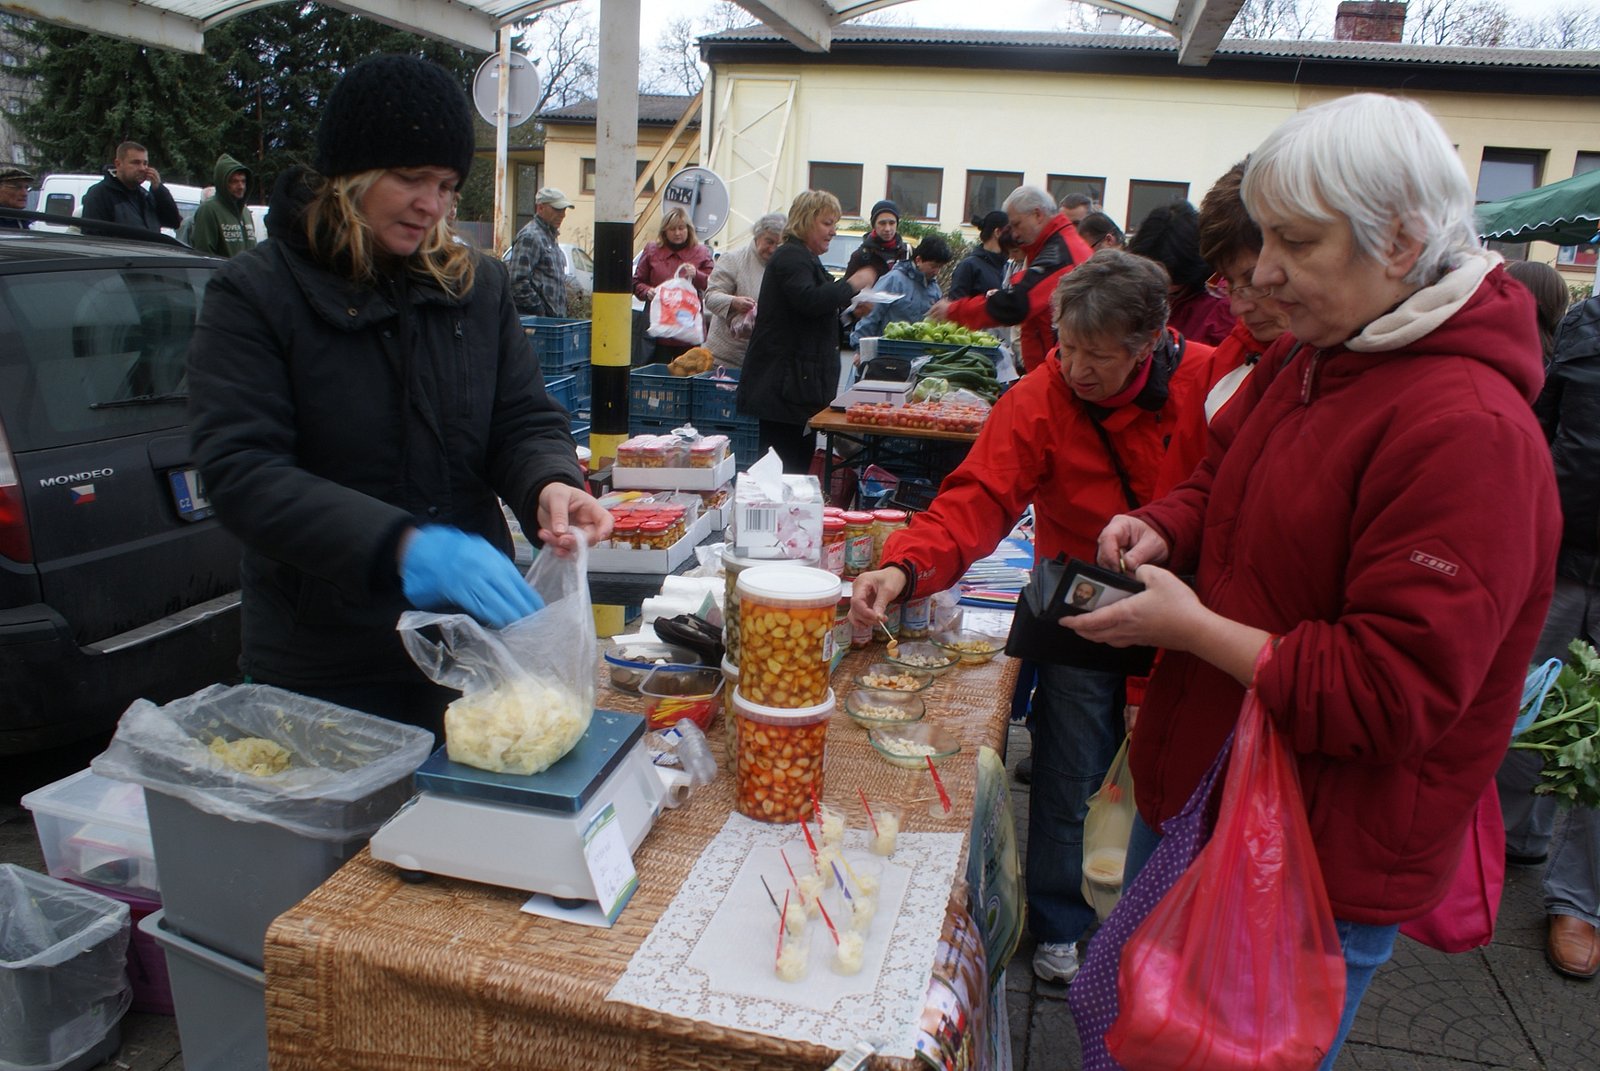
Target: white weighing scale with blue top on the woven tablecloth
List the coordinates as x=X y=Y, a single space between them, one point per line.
x=527 y=832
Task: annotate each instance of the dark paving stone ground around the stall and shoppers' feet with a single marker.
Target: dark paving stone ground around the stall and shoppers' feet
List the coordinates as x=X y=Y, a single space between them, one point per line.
x=1497 y=1009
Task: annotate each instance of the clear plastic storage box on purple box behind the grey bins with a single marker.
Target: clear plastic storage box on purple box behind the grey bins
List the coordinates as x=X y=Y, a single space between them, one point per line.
x=95 y=830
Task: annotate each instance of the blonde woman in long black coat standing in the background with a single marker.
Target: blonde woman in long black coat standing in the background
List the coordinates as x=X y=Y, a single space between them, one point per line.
x=793 y=364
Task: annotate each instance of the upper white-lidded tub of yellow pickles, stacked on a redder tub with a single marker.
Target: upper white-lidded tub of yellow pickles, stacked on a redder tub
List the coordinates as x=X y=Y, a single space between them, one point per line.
x=786 y=635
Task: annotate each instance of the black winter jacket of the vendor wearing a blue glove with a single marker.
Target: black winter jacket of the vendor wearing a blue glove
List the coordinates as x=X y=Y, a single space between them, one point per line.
x=327 y=419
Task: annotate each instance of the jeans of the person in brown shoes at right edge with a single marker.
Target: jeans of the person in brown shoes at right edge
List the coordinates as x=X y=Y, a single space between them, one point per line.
x=1572 y=884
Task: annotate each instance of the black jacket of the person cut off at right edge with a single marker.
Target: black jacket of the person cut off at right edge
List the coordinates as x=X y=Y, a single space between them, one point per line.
x=1569 y=409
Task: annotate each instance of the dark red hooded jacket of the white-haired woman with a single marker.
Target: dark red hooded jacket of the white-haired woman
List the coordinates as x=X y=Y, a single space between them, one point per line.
x=1393 y=516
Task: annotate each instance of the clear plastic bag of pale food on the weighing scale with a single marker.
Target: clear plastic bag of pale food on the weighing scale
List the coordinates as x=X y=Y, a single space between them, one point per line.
x=529 y=691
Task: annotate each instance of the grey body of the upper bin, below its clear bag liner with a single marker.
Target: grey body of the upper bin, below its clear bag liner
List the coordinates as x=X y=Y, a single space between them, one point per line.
x=223 y=881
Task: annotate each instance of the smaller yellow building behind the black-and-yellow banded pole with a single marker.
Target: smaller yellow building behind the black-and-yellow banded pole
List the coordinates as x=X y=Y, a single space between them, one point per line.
x=570 y=156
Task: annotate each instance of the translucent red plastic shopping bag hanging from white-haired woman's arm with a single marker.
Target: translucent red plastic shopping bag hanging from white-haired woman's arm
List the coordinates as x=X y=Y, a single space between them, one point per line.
x=1239 y=966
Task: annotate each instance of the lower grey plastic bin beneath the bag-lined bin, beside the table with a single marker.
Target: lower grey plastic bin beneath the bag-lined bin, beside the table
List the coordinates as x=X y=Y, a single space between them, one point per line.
x=222 y=1005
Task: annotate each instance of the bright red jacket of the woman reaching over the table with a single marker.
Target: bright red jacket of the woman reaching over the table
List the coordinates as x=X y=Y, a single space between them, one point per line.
x=1041 y=447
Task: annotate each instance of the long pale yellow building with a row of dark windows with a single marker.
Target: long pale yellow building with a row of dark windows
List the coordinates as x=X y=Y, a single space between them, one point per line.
x=948 y=122
